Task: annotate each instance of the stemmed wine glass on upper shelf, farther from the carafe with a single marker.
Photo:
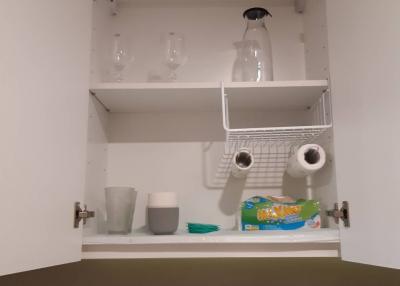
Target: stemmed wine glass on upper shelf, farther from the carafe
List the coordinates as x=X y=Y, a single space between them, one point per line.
x=120 y=57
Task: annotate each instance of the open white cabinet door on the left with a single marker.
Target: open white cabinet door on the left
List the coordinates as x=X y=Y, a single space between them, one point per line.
x=44 y=81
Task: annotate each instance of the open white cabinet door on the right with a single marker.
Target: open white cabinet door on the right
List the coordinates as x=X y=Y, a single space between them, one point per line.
x=365 y=69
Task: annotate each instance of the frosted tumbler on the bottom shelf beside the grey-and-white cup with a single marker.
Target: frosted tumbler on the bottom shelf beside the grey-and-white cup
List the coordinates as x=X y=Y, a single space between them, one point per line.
x=120 y=206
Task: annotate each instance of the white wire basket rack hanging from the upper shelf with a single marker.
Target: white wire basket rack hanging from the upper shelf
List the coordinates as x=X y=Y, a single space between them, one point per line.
x=270 y=146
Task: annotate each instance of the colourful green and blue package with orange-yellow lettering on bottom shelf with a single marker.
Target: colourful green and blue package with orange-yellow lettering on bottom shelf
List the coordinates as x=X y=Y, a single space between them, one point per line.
x=279 y=213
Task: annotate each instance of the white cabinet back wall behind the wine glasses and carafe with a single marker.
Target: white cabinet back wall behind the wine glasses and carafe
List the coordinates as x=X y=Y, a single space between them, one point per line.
x=209 y=31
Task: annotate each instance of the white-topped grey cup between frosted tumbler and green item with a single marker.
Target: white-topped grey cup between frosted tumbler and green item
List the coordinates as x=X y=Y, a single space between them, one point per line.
x=163 y=212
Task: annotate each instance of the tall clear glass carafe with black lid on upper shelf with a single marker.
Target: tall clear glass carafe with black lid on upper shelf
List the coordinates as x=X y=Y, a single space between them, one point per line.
x=257 y=31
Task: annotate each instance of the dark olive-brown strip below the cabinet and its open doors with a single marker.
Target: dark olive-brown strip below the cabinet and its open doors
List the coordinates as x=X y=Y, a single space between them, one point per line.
x=209 y=272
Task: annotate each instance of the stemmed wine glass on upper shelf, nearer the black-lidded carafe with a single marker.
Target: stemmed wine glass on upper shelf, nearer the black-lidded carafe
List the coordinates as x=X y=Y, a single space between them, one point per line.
x=174 y=53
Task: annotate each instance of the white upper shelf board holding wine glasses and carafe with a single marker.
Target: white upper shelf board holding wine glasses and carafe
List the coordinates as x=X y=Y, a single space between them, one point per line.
x=206 y=96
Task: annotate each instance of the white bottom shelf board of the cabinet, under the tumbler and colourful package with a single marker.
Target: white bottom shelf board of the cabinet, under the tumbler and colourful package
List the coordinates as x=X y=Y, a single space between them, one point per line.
x=310 y=243
